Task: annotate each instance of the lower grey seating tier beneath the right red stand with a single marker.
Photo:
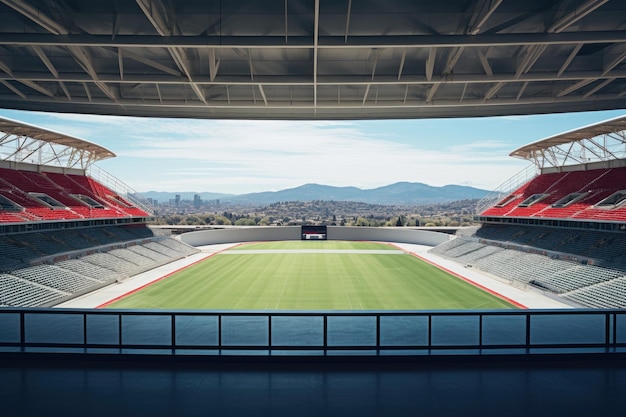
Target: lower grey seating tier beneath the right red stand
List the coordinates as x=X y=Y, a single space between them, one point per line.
x=585 y=267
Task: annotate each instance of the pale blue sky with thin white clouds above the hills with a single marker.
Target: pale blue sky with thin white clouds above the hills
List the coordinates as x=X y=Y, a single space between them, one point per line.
x=244 y=156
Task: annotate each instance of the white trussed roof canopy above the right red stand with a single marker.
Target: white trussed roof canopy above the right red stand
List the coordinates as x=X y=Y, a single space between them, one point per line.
x=604 y=141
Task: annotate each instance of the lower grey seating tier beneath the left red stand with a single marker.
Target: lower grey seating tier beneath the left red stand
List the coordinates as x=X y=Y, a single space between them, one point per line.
x=45 y=268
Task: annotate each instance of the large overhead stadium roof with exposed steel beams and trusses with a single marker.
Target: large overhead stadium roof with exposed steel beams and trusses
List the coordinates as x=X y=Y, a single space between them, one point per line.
x=324 y=59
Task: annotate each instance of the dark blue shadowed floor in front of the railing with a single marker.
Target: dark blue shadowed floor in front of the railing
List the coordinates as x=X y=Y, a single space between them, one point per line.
x=538 y=388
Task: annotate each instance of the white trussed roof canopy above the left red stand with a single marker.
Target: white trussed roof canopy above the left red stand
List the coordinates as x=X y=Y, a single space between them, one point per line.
x=21 y=142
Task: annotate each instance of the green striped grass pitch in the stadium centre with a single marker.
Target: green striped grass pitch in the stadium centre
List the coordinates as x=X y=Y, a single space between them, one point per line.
x=345 y=276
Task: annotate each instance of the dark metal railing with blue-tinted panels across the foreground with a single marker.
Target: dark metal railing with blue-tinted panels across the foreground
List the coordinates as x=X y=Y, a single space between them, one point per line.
x=312 y=333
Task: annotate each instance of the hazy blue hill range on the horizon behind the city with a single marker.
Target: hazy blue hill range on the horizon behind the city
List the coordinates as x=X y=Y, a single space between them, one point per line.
x=401 y=193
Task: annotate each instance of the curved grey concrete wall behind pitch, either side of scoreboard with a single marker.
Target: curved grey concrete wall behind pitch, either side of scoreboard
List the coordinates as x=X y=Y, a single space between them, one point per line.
x=271 y=233
